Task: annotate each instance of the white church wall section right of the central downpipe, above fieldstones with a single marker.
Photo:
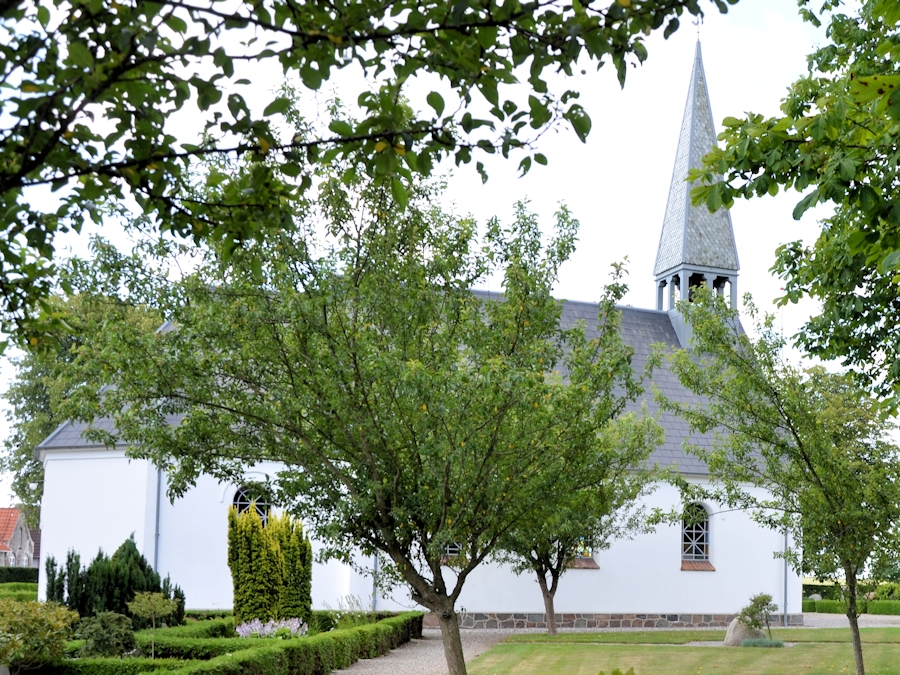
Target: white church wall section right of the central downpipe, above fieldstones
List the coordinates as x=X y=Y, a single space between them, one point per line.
x=644 y=575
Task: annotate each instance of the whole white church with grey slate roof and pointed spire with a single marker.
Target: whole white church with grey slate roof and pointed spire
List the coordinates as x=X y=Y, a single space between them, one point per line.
x=698 y=574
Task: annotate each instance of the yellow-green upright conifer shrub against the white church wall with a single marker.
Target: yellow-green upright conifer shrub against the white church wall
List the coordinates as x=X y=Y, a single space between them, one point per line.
x=271 y=568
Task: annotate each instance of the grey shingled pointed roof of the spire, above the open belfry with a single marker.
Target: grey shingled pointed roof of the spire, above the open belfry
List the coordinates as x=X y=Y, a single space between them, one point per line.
x=691 y=235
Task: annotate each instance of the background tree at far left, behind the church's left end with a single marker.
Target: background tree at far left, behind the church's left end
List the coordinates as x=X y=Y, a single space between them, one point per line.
x=43 y=380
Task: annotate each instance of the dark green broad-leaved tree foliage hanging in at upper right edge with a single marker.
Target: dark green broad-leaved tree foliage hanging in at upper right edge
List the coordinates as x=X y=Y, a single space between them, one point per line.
x=838 y=141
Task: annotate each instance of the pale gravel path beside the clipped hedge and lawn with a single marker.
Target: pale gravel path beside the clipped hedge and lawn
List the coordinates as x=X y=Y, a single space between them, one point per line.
x=426 y=656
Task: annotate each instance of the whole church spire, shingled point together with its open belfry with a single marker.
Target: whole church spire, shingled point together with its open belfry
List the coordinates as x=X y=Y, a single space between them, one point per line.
x=695 y=246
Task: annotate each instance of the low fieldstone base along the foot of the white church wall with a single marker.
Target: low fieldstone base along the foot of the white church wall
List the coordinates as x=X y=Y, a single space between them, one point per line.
x=589 y=620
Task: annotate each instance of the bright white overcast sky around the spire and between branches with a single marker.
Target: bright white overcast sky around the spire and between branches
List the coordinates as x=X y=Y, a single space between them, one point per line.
x=617 y=183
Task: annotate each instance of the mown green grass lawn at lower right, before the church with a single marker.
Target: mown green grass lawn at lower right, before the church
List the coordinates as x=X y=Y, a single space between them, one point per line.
x=818 y=652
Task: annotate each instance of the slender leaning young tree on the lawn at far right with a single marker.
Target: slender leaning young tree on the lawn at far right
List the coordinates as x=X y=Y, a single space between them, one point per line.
x=814 y=441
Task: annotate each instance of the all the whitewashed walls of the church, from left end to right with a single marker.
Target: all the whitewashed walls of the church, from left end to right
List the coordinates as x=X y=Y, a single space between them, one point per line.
x=95 y=499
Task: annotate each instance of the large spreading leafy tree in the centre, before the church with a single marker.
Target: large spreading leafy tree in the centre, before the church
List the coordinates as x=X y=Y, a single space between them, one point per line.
x=409 y=412
